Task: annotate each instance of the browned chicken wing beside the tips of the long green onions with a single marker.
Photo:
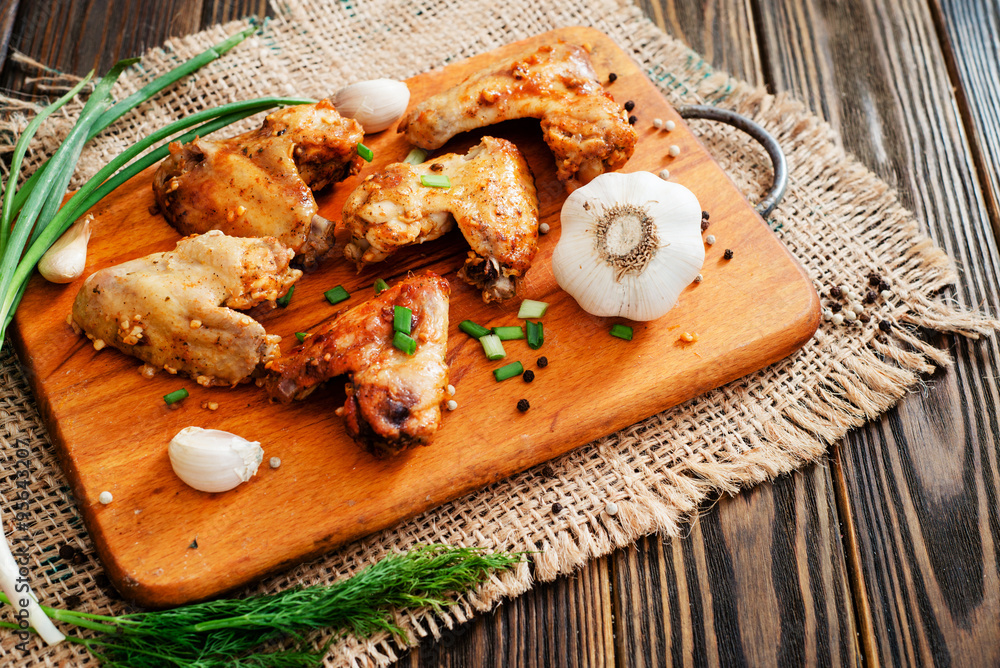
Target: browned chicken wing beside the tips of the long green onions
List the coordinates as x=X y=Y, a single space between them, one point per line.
x=261 y=183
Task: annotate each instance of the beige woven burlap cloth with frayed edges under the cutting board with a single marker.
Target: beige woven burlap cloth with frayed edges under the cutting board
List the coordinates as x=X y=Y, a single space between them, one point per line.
x=837 y=218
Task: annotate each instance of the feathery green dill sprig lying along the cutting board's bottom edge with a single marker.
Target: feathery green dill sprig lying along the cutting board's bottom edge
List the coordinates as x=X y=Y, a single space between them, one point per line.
x=228 y=632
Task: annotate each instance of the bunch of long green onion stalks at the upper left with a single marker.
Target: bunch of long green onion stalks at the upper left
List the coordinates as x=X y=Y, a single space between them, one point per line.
x=31 y=219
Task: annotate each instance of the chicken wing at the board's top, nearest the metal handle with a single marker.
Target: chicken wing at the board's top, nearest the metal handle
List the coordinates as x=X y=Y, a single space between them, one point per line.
x=589 y=133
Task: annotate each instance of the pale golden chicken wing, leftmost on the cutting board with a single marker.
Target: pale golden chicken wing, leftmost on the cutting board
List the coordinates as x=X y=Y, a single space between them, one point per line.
x=175 y=310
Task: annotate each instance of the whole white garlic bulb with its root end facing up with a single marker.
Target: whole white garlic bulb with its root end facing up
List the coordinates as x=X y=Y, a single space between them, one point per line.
x=630 y=244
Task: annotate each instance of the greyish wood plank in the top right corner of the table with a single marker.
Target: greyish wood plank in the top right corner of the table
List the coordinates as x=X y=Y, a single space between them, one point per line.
x=969 y=31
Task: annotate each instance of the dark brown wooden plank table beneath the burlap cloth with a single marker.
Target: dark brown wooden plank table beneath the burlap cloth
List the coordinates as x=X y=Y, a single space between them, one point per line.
x=887 y=552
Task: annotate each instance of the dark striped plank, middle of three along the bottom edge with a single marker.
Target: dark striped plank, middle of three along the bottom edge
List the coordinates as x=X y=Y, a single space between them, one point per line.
x=760 y=580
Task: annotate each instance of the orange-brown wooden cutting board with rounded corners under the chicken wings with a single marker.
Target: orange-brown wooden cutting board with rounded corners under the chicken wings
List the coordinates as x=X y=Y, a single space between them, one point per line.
x=111 y=426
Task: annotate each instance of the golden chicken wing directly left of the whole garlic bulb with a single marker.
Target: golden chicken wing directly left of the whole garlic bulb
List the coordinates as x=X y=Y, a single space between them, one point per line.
x=492 y=198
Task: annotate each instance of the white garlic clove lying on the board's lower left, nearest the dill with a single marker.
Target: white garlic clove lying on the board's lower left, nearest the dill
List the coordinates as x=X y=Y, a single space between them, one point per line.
x=211 y=460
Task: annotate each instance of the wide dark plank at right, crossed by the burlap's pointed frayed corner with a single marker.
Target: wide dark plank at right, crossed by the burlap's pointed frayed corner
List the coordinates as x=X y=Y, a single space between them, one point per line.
x=921 y=484
